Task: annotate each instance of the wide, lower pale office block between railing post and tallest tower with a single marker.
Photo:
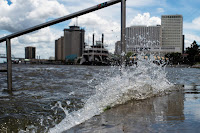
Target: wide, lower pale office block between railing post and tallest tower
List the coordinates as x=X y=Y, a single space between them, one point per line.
x=140 y=38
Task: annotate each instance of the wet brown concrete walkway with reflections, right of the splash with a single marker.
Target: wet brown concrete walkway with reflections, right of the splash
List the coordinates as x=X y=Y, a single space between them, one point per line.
x=157 y=114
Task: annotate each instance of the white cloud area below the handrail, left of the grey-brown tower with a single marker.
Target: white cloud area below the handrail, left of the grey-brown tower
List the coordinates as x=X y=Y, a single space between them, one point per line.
x=43 y=40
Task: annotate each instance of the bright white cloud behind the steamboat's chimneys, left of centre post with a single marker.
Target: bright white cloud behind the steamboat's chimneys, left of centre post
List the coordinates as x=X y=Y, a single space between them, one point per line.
x=98 y=25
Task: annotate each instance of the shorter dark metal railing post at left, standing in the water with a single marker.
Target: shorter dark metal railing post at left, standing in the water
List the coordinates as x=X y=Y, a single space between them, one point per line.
x=9 y=65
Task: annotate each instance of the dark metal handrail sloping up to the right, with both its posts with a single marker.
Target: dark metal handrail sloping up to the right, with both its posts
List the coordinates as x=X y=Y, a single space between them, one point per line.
x=52 y=22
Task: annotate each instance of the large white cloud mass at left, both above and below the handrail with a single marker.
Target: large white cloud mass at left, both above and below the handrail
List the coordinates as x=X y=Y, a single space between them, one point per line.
x=23 y=14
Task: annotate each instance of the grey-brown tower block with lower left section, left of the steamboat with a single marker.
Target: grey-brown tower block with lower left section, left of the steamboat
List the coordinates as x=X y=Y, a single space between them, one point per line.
x=71 y=45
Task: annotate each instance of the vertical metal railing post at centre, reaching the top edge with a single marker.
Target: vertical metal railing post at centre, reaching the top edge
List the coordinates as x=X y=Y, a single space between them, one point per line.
x=123 y=27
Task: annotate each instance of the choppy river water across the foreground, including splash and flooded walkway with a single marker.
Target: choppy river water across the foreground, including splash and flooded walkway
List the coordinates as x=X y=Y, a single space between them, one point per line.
x=143 y=98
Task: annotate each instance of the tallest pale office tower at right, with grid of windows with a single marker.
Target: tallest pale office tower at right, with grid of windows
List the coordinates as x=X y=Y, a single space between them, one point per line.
x=172 y=33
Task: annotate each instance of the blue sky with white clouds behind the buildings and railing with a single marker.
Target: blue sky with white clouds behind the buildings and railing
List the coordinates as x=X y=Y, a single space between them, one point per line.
x=16 y=15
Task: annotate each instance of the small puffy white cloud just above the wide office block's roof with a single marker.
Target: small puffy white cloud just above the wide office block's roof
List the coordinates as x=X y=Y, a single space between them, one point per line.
x=145 y=19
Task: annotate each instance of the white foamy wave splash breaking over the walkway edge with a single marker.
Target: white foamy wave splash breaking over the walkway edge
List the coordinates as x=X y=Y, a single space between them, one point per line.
x=137 y=82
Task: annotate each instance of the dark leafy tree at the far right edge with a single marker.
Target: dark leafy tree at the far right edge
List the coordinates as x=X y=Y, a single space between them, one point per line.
x=193 y=53
